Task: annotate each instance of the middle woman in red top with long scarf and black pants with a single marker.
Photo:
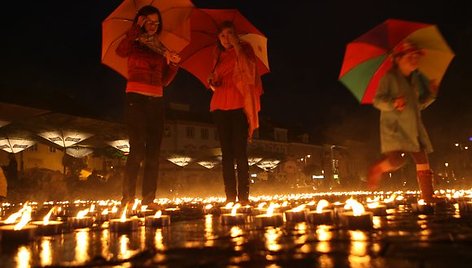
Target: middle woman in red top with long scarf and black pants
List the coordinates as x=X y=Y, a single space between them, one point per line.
x=235 y=103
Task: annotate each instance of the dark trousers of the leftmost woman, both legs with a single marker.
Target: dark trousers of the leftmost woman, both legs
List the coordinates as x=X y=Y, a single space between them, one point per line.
x=144 y=118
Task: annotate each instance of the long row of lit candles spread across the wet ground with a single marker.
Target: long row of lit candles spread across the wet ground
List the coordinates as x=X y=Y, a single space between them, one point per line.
x=351 y=214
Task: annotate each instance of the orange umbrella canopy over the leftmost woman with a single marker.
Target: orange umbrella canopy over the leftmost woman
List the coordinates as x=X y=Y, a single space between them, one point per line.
x=175 y=33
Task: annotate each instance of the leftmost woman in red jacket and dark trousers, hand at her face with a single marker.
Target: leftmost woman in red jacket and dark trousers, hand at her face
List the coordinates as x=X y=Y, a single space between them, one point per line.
x=151 y=67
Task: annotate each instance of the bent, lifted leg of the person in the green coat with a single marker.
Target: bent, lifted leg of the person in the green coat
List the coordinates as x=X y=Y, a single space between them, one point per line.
x=389 y=162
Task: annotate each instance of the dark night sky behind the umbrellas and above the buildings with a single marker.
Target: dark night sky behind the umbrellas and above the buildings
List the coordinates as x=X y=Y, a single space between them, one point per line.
x=51 y=59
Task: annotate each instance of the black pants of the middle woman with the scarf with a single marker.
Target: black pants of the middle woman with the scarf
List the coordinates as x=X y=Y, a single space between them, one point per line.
x=233 y=133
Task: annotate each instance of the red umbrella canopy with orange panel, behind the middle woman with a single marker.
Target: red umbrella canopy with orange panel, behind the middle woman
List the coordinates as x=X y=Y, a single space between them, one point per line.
x=197 y=57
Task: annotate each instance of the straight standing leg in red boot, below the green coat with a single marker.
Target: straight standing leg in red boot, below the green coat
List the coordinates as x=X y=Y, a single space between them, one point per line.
x=424 y=176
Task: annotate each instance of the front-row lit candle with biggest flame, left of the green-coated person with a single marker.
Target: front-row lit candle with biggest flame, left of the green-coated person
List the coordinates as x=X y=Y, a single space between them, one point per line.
x=358 y=218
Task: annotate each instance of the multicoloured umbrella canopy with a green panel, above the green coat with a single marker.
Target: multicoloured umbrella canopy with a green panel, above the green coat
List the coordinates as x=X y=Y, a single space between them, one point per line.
x=367 y=58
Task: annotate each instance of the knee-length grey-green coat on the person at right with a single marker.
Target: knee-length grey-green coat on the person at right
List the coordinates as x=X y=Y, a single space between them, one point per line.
x=403 y=130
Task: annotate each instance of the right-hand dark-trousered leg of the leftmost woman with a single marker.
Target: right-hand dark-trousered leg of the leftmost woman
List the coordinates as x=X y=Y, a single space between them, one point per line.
x=154 y=131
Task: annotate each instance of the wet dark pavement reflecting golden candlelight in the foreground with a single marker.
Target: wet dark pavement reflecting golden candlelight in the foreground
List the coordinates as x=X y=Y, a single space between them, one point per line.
x=405 y=236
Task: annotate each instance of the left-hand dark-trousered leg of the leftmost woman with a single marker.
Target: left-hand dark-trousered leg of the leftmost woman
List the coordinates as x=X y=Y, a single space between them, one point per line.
x=134 y=115
